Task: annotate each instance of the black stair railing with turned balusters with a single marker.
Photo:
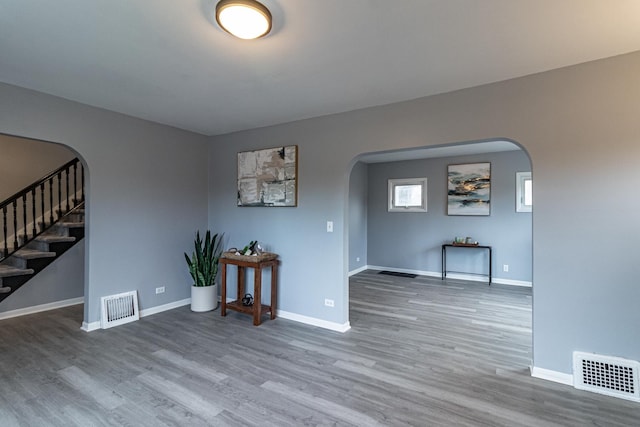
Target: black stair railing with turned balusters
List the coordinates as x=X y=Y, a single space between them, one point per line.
x=32 y=210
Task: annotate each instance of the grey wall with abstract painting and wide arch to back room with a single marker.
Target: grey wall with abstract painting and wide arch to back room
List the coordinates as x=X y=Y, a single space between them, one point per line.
x=580 y=128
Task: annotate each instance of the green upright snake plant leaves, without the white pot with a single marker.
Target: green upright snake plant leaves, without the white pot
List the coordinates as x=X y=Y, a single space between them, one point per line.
x=203 y=264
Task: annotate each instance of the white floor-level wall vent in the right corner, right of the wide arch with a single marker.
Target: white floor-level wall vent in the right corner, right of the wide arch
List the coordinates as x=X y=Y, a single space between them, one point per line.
x=608 y=375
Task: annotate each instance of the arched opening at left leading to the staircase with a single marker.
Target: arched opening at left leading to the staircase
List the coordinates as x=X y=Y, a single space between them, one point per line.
x=62 y=282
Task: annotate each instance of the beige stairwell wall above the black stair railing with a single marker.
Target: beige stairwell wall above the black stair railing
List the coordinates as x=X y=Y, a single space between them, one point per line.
x=23 y=162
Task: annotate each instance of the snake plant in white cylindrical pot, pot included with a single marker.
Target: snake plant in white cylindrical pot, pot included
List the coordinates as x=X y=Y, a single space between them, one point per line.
x=203 y=266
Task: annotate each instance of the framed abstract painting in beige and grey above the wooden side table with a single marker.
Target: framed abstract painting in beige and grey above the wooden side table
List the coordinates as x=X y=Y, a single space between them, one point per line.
x=268 y=177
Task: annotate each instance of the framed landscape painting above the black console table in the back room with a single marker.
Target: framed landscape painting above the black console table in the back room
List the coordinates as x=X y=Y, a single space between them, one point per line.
x=469 y=189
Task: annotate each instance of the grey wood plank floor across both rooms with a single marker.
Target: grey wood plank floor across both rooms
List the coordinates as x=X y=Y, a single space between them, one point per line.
x=421 y=352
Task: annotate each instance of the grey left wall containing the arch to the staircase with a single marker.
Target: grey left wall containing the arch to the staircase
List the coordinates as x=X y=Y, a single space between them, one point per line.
x=146 y=193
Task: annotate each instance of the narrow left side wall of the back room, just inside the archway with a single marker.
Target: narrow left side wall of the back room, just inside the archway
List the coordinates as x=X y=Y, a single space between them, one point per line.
x=358 y=205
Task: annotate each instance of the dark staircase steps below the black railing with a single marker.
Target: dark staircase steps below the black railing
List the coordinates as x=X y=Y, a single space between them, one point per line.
x=18 y=268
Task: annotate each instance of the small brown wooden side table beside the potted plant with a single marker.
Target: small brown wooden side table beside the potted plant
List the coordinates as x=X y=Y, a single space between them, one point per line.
x=257 y=263
